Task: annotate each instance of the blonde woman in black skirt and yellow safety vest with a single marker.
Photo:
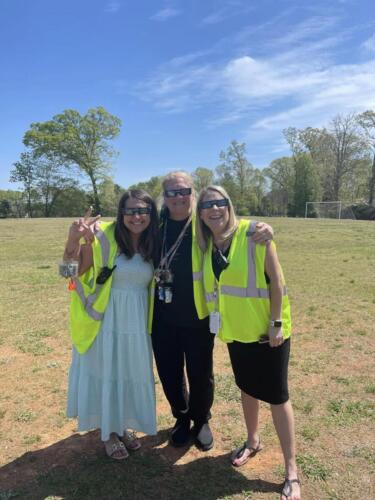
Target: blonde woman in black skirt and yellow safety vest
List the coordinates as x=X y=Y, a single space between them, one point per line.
x=249 y=310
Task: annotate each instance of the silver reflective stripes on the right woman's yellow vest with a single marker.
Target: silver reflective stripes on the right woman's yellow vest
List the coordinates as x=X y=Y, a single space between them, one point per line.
x=251 y=290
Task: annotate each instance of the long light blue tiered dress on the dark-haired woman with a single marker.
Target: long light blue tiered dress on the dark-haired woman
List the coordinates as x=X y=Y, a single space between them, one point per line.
x=112 y=386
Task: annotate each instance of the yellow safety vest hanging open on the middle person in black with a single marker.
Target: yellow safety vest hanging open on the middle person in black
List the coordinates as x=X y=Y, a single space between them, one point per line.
x=199 y=299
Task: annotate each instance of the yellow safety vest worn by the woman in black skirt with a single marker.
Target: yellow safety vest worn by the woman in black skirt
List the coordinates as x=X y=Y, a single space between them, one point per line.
x=242 y=295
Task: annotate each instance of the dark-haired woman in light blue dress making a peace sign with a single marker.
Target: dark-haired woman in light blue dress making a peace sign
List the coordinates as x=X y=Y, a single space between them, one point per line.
x=111 y=383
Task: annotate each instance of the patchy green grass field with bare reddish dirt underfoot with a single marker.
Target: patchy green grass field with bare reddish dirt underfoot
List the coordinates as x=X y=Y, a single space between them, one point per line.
x=330 y=269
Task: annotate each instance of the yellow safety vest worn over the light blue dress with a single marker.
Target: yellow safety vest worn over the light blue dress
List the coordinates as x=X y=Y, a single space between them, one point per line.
x=89 y=300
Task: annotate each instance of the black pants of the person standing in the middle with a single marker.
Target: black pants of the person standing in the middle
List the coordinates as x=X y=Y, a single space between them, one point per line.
x=173 y=346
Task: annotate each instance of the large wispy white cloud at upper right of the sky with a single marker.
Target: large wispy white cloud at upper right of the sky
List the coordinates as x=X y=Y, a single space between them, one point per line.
x=299 y=78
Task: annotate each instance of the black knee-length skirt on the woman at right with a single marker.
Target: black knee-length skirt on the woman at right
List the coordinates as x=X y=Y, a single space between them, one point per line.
x=261 y=371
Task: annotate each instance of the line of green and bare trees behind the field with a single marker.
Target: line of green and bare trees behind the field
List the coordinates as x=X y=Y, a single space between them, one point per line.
x=66 y=166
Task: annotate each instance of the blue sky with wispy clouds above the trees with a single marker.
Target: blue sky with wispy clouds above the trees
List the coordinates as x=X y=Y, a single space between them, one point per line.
x=185 y=77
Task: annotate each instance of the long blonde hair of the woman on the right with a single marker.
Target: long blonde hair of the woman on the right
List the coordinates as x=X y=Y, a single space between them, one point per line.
x=202 y=231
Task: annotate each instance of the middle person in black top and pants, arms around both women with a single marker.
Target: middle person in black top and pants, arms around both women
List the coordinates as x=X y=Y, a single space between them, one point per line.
x=180 y=331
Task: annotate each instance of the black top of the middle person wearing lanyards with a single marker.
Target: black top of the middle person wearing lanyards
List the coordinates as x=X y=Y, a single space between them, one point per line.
x=181 y=311
